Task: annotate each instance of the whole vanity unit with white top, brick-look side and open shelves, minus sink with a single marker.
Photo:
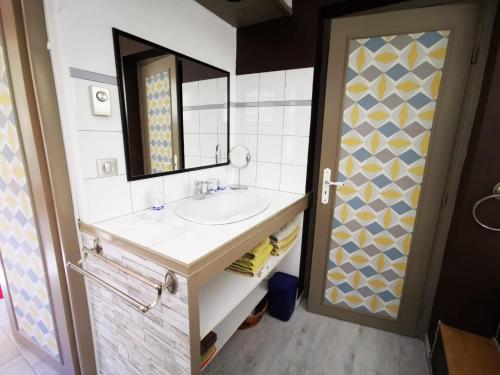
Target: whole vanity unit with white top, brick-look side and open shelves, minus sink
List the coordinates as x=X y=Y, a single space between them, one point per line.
x=165 y=337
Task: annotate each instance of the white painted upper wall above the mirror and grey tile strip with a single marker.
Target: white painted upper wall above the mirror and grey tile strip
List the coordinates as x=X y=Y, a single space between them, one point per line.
x=181 y=25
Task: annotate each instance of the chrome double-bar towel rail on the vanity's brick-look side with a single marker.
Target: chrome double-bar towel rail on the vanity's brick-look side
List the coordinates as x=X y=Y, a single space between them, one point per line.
x=170 y=283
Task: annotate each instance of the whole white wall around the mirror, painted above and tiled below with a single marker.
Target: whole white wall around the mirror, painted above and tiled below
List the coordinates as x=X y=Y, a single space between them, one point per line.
x=80 y=37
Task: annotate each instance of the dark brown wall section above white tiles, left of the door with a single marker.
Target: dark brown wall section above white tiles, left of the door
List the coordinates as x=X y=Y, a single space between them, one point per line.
x=285 y=43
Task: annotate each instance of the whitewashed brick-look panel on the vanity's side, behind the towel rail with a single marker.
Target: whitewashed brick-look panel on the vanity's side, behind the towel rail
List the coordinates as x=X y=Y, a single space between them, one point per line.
x=128 y=341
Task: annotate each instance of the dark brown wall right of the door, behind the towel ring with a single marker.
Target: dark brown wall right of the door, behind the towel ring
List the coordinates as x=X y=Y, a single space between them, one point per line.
x=468 y=294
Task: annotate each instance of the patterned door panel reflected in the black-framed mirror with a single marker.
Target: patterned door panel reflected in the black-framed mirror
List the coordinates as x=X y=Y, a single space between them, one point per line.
x=159 y=122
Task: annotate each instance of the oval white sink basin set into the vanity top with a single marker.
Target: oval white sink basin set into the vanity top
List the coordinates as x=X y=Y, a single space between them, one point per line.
x=222 y=209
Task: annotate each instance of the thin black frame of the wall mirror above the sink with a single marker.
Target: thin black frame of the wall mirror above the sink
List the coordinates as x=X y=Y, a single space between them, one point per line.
x=123 y=112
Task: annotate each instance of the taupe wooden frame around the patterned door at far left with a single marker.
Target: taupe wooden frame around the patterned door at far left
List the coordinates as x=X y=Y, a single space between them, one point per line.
x=33 y=89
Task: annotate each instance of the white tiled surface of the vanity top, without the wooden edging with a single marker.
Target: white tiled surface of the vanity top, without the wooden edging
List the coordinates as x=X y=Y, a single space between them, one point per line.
x=186 y=242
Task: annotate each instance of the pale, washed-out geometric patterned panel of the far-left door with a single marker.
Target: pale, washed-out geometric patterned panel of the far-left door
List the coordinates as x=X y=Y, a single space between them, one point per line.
x=19 y=245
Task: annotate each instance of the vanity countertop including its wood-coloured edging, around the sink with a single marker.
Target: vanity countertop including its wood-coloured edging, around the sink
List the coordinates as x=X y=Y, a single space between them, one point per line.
x=186 y=247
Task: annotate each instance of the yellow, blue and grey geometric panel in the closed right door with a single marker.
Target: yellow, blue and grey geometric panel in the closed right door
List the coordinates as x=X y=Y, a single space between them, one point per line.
x=391 y=88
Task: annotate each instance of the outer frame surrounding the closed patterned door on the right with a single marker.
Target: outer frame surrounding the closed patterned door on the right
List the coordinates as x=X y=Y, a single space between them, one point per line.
x=470 y=103
